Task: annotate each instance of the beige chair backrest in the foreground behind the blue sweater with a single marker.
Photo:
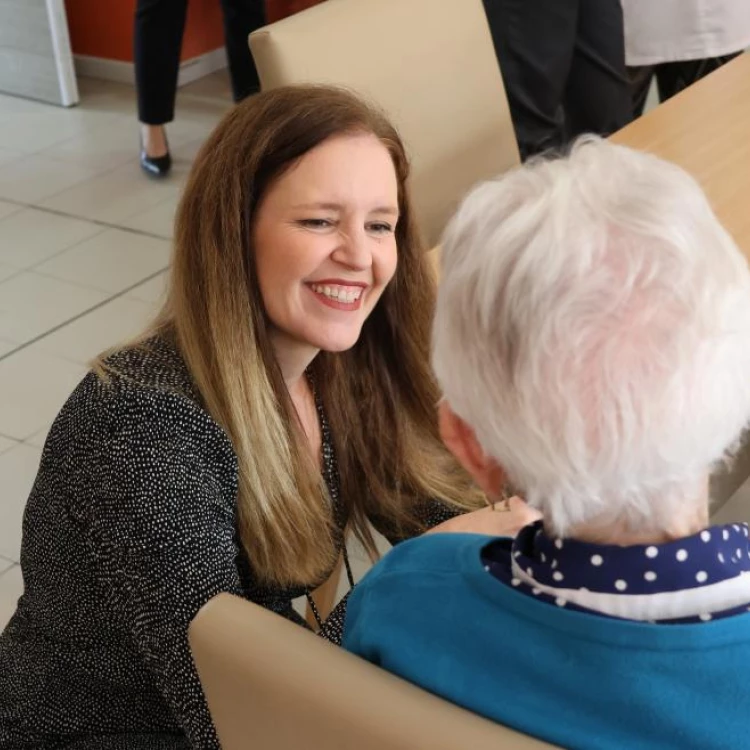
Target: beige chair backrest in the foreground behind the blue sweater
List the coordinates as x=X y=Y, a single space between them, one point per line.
x=271 y=684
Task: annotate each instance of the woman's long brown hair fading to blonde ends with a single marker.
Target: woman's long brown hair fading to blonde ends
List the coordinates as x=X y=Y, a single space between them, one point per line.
x=380 y=396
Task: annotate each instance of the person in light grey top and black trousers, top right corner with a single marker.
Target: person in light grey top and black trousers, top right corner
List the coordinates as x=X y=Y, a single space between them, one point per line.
x=680 y=41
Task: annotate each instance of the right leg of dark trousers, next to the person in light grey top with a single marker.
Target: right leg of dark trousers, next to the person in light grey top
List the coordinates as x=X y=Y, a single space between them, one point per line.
x=597 y=95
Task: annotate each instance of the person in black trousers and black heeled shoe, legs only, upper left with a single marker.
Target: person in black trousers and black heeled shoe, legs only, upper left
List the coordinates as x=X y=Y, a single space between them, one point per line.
x=159 y=26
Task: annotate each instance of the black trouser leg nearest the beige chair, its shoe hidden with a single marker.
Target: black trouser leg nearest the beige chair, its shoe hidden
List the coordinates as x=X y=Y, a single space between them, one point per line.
x=241 y=17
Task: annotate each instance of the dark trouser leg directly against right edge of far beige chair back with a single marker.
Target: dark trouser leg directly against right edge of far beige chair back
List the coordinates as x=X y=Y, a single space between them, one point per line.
x=534 y=42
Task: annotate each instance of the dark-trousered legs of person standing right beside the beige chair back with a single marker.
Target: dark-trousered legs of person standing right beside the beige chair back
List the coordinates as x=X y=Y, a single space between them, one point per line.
x=563 y=64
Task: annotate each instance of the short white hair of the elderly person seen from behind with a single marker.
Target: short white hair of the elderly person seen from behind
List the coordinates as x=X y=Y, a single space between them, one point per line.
x=593 y=329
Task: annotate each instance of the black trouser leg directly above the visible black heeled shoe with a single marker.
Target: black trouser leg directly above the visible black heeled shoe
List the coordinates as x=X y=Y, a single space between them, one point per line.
x=159 y=25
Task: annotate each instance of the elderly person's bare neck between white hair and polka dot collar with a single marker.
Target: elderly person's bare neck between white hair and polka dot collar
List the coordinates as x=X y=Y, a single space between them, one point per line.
x=623 y=534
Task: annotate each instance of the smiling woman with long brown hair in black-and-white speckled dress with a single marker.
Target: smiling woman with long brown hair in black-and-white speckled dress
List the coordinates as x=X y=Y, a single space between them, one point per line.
x=282 y=398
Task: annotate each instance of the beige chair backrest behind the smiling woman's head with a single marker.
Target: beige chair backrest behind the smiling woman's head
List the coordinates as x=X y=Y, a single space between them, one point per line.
x=430 y=64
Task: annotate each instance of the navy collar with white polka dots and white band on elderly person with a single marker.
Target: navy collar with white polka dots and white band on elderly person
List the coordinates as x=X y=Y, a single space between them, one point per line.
x=695 y=578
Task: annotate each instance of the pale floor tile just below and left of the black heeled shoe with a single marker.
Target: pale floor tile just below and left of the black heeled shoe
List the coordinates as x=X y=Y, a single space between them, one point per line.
x=114 y=196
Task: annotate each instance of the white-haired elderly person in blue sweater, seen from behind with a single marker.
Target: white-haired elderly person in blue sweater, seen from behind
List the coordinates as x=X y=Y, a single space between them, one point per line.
x=593 y=343
